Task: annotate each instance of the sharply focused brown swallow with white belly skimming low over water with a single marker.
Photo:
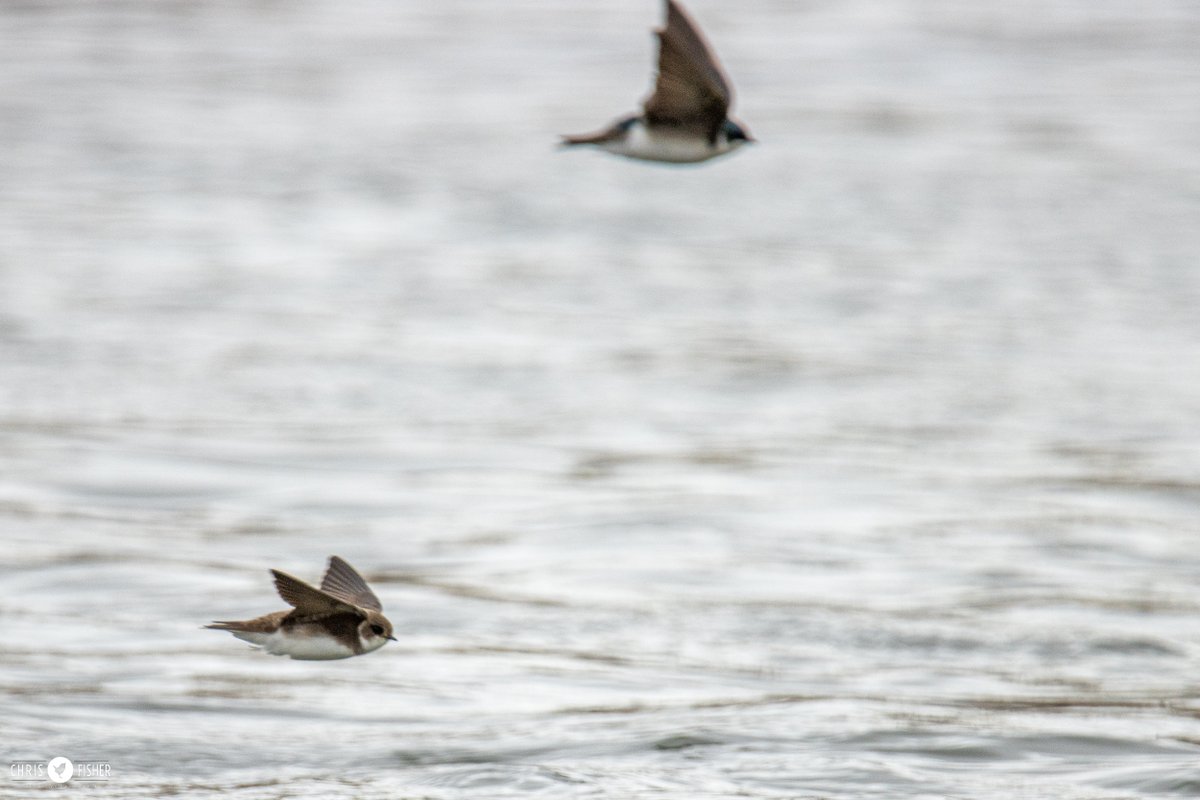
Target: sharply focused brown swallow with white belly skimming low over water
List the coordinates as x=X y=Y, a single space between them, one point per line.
x=341 y=619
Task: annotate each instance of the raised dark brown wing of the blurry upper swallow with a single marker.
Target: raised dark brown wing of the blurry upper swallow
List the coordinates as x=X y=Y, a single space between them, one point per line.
x=692 y=89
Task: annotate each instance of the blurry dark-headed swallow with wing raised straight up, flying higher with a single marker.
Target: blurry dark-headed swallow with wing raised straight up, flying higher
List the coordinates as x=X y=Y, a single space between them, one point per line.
x=687 y=117
